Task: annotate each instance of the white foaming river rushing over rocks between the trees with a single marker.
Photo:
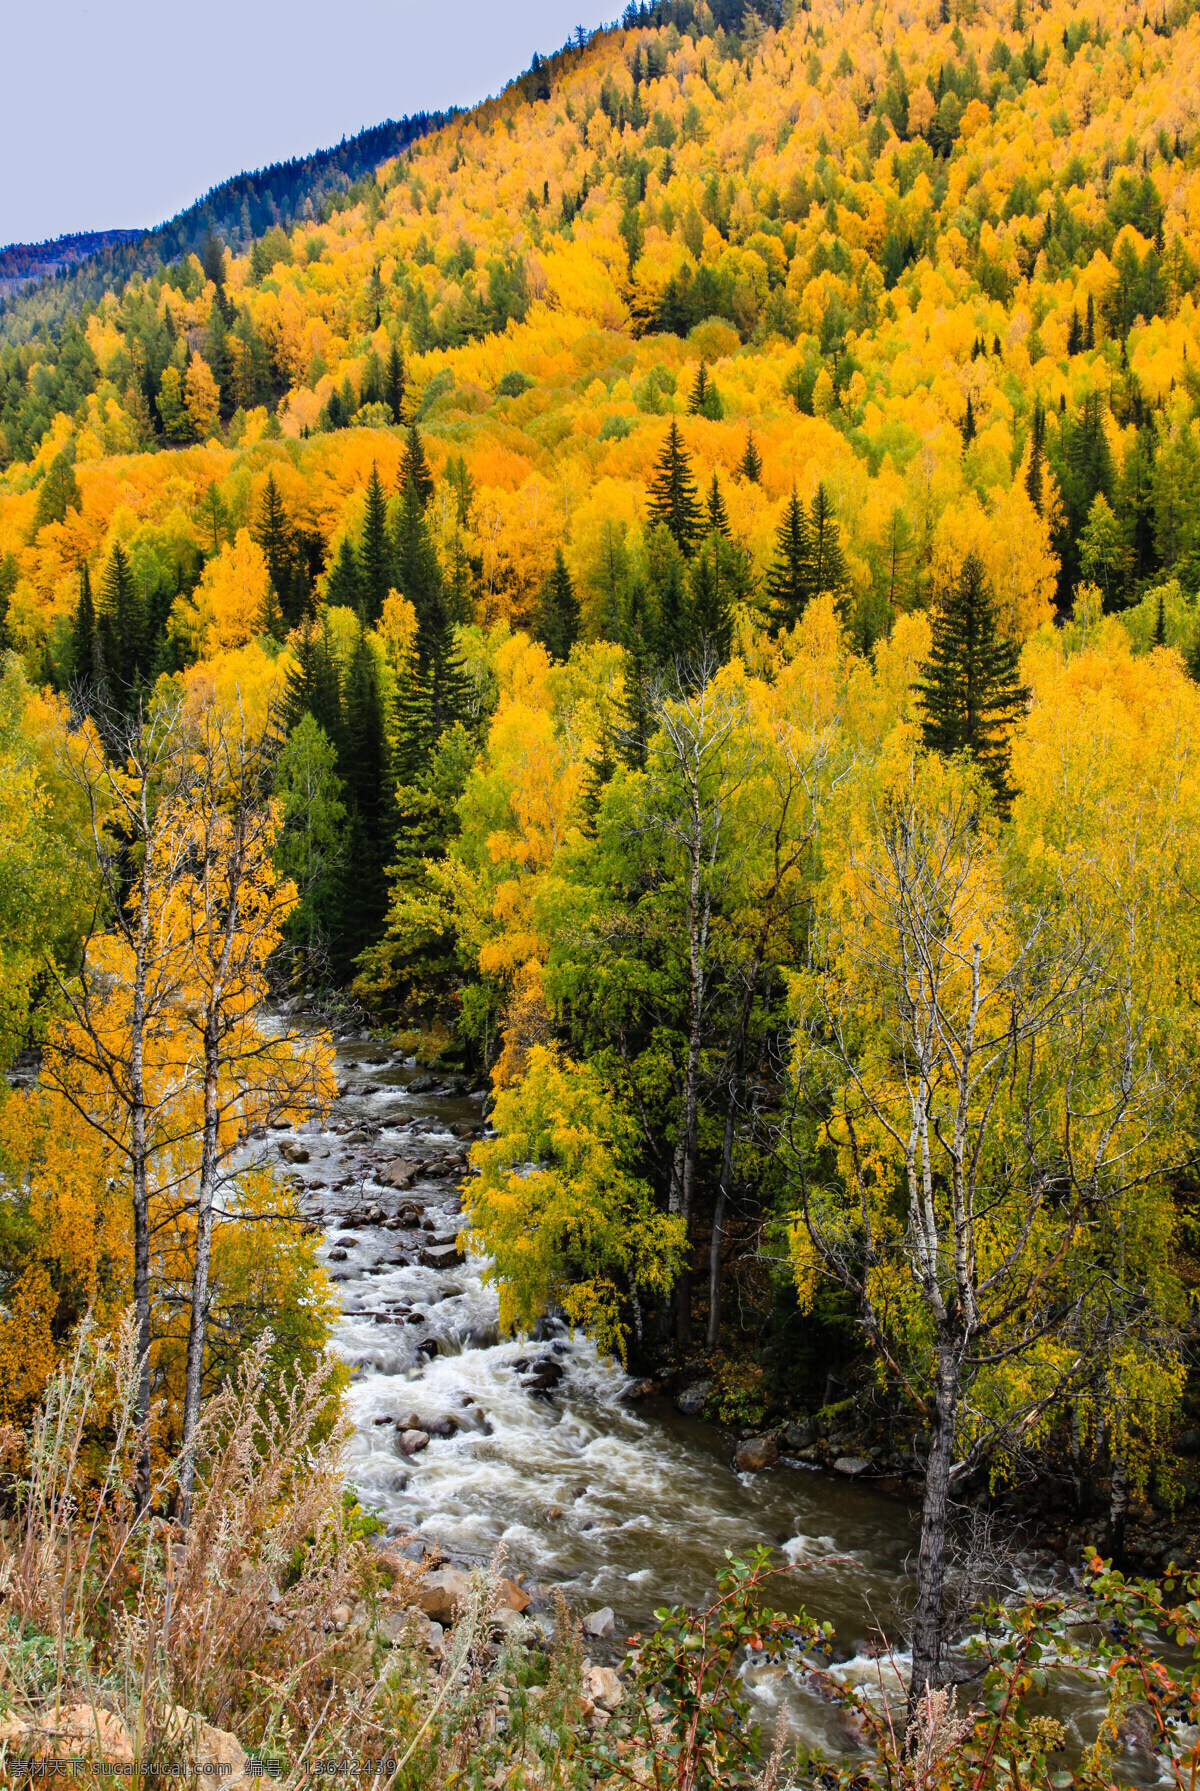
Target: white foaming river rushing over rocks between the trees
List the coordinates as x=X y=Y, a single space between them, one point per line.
x=621 y=1505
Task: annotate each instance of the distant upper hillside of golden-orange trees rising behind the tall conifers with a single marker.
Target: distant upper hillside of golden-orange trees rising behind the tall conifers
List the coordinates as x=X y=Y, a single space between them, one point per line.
x=945 y=261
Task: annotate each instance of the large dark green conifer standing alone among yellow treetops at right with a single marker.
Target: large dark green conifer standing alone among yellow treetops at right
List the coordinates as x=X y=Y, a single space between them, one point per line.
x=968 y=694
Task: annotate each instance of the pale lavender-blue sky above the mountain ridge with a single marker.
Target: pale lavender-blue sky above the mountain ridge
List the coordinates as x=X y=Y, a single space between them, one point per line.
x=123 y=112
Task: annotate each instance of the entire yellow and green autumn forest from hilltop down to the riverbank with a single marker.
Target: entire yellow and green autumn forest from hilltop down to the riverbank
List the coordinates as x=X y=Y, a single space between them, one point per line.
x=696 y=567
